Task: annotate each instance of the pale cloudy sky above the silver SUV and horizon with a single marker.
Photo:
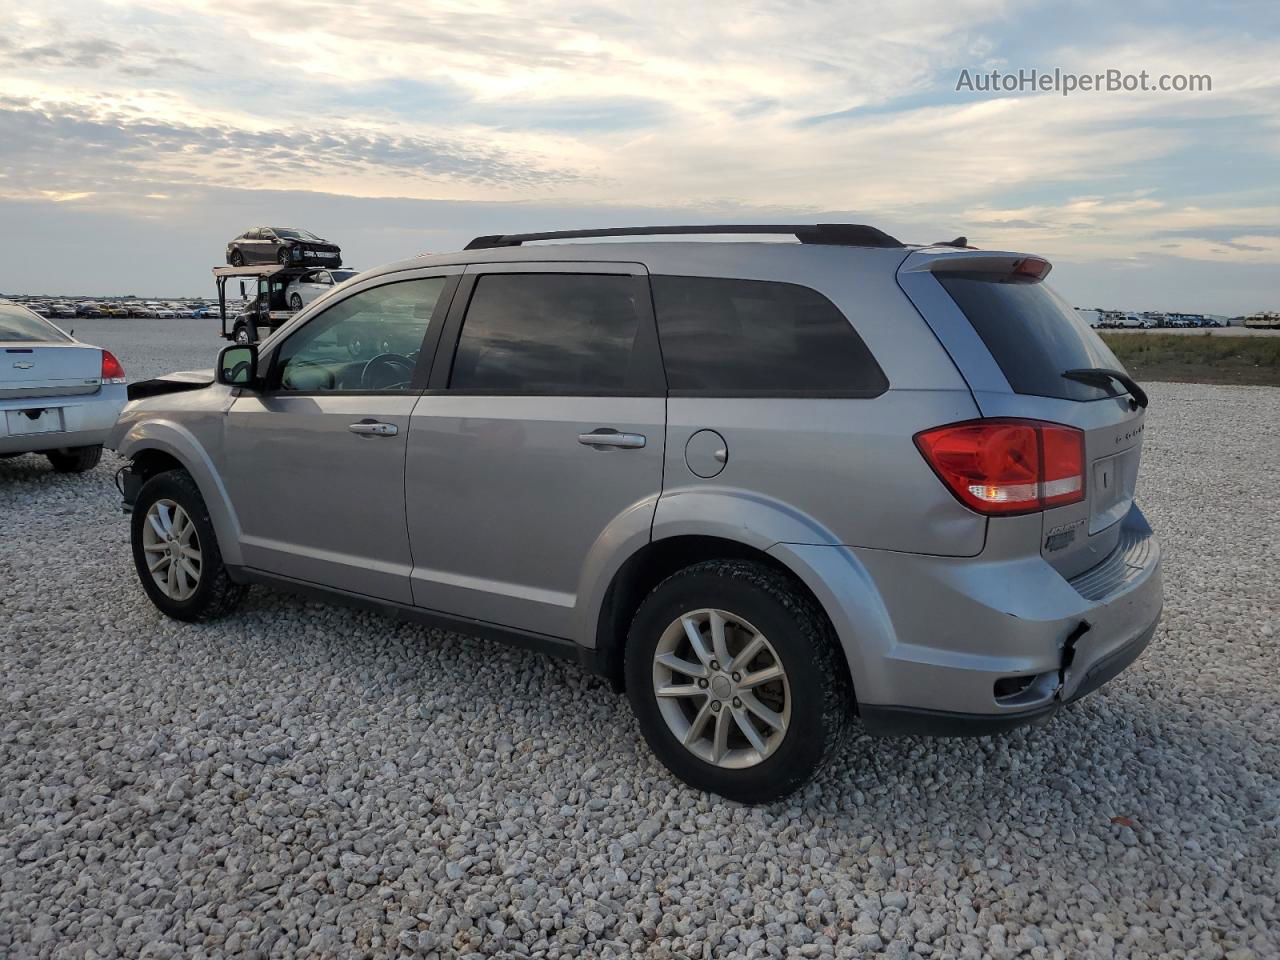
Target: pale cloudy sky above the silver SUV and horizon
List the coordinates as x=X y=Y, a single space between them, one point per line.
x=138 y=138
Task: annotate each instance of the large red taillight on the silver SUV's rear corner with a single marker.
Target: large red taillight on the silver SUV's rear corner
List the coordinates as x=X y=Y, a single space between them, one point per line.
x=1008 y=467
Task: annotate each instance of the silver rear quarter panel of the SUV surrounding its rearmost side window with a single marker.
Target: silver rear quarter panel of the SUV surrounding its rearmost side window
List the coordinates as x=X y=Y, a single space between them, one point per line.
x=826 y=470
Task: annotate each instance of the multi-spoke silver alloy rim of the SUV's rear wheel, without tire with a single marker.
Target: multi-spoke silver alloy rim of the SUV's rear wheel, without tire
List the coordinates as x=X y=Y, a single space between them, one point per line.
x=721 y=688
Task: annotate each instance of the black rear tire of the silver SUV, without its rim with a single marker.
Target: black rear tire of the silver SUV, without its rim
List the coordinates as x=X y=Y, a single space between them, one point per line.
x=822 y=701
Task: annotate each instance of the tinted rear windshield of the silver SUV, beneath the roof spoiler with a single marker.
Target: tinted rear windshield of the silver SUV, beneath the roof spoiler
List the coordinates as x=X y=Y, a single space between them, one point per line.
x=1034 y=336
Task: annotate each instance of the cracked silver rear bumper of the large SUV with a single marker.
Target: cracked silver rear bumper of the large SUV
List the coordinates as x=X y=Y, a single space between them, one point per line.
x=982 y=644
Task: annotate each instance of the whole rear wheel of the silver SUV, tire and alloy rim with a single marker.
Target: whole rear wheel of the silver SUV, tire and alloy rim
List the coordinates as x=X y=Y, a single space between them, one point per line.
x=738 y=682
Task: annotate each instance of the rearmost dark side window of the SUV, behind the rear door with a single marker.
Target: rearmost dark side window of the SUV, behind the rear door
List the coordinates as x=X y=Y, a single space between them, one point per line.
x=743 y=339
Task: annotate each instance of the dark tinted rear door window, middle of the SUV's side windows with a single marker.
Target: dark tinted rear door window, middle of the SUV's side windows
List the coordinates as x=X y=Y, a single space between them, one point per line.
x=550 y=333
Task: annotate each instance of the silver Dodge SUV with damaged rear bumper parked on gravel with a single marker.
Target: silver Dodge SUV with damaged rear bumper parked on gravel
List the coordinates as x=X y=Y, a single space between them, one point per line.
x=764 y=487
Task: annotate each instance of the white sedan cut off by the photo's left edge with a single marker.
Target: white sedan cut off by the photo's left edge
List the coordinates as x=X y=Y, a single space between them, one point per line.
x=58 y=396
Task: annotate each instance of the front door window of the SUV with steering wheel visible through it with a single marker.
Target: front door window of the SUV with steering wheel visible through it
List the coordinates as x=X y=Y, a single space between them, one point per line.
x=368 y=342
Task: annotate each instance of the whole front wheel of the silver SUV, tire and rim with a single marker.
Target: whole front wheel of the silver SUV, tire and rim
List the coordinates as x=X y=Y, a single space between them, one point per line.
x=176 y=551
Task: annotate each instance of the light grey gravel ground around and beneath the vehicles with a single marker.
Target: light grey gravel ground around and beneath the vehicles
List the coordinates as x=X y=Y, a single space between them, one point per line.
x=307 y=780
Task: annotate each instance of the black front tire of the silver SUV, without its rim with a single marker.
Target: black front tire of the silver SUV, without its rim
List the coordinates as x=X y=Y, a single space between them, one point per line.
x=216 y=595
